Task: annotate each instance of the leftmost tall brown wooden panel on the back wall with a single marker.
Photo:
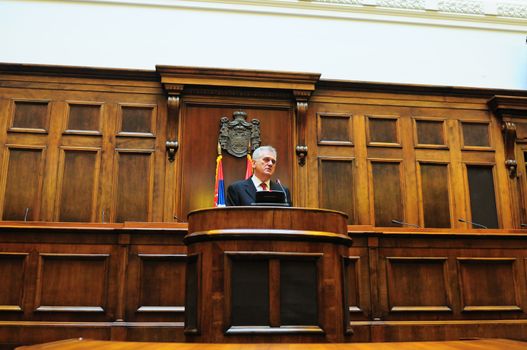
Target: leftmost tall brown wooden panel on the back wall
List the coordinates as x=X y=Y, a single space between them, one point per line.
x=23 y=188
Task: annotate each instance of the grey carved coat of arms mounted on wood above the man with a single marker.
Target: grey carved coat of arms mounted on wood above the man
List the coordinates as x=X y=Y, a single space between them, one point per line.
x=238 y=136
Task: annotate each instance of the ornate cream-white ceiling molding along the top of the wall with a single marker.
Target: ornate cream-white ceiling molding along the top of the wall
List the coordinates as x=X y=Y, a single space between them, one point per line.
x=506 y=15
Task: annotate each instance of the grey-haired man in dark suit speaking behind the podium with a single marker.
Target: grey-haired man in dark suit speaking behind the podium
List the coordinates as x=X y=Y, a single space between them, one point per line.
x=264 y=164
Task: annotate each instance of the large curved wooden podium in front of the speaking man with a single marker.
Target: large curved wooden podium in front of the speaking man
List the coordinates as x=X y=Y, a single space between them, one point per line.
x=266 y=274
